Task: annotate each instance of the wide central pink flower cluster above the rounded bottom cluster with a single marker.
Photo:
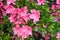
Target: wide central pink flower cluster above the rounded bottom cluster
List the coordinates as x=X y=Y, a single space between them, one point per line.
x=21 y=15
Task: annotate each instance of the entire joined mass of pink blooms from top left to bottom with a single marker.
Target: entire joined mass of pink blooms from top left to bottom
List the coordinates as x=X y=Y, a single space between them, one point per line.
x=20 y=16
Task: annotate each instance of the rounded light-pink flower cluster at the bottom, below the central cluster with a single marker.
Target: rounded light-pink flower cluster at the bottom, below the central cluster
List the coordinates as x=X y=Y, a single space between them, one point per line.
x=23 y=31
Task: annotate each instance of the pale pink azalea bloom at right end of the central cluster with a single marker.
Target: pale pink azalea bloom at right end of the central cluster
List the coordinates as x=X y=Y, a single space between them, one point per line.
x=35 y=15
